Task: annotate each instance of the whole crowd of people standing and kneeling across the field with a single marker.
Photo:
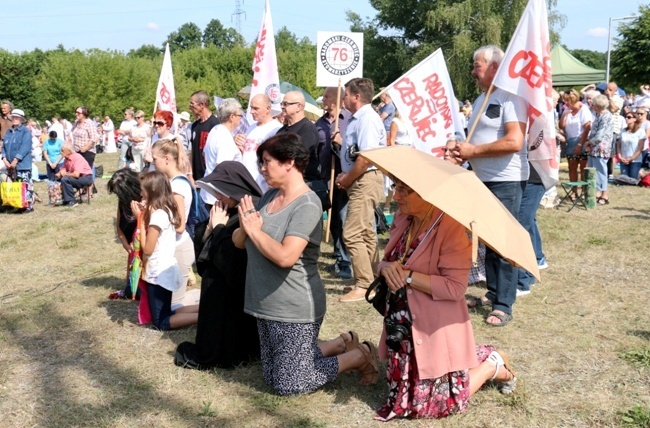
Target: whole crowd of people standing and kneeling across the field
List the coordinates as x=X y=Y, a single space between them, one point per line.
x=264 y=188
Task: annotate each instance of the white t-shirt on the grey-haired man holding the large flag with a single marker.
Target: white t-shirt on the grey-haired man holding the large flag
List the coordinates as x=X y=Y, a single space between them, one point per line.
x=502 y=107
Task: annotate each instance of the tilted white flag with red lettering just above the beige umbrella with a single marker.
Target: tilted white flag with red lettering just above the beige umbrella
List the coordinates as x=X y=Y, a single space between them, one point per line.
x=425 y=99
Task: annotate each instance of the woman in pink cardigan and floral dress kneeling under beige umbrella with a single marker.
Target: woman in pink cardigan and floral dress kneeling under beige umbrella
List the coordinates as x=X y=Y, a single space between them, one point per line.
x=434 y=365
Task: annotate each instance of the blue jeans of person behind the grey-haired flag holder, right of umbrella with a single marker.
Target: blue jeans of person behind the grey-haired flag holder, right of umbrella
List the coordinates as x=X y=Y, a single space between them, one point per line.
x=530 y=200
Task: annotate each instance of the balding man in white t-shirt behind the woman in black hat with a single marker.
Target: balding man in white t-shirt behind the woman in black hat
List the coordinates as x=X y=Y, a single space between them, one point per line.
x=264 y=128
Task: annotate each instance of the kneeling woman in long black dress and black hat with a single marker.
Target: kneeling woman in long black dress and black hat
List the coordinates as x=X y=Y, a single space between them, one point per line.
x=225 y=336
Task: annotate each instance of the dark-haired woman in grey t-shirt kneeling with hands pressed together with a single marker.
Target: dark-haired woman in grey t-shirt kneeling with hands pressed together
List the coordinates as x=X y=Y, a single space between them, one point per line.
x=284 y=292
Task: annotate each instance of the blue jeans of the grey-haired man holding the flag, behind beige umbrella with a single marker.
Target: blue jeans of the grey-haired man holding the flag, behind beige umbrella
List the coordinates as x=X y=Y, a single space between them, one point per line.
x=501 y=276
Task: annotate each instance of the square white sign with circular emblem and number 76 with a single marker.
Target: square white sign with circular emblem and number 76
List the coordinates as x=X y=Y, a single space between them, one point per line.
x=339 y=57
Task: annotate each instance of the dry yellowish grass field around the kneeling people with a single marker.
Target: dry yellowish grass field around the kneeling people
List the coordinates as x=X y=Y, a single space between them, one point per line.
x=70 y=357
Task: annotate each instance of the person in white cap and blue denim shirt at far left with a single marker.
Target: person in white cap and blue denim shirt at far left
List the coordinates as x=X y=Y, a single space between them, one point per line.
x=17 y=154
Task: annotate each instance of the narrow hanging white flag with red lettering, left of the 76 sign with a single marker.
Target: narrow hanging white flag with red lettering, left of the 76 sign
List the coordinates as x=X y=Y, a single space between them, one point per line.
x=265 y=66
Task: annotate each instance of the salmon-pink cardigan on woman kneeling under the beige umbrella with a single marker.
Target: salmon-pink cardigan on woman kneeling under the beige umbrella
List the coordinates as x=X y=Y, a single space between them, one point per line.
x=442 y=332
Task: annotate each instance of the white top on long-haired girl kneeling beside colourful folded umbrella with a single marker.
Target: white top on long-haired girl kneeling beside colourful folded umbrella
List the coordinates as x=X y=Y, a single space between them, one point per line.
x=161 y=268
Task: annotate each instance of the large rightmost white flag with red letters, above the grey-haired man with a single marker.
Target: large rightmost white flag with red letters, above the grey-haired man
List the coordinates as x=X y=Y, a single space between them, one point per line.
x=526 y=71
